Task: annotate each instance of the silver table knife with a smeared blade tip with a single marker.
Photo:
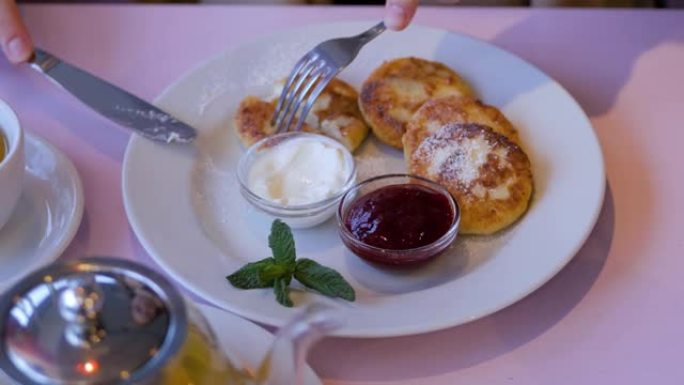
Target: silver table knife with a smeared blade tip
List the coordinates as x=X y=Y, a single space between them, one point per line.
x=112 y=102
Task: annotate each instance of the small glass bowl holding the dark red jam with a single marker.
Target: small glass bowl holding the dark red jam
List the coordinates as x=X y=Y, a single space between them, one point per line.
x=391 y=256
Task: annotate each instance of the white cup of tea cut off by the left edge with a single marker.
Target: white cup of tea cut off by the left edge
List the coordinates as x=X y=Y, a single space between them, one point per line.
x=12 y=165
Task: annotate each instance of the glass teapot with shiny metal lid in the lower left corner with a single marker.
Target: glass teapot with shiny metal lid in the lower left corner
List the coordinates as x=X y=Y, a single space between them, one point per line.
x=102 y=321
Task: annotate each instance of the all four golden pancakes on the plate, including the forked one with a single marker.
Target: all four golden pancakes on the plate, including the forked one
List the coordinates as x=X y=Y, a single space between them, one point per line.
x=447 y=134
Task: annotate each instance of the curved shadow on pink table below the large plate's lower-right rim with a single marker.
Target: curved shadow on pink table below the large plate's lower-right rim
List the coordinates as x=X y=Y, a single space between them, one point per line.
x=470 y=344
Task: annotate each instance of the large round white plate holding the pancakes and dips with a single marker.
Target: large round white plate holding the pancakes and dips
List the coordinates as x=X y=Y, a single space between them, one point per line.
x=185 y=207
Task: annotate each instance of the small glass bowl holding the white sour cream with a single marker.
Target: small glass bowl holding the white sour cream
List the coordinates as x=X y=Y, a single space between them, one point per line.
x=296 y=216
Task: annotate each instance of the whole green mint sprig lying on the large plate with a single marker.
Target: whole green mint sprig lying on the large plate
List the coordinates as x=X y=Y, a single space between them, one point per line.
x=277 y=271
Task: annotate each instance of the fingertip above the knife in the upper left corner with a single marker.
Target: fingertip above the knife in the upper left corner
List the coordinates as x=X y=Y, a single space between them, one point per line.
x=14 y=37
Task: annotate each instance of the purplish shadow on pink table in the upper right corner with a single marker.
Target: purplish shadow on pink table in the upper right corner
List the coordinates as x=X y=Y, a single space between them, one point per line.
x=580 y=58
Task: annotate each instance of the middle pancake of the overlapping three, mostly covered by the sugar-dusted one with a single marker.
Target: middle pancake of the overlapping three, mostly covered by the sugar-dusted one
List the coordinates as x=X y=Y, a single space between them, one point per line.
x=437 y=112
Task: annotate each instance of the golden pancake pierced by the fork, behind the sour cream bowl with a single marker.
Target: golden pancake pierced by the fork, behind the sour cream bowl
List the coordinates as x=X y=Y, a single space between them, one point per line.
x=335 y=114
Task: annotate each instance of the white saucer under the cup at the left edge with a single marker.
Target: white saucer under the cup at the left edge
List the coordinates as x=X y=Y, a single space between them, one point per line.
x=47 y=216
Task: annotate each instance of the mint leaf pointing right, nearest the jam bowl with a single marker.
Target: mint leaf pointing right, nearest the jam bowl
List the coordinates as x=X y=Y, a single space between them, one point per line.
x=323 y=279
